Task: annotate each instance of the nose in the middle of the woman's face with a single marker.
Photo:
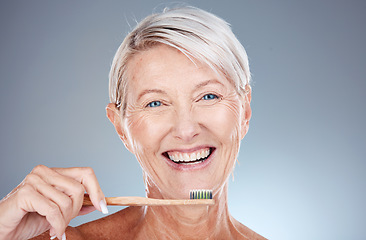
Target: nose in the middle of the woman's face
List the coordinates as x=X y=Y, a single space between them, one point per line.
x=186 y=126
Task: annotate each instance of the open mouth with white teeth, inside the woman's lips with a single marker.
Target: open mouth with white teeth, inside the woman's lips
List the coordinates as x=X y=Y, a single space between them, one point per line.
x=189 y=158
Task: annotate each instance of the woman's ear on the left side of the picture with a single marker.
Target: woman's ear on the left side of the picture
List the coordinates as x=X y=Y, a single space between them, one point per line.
x=114 y=115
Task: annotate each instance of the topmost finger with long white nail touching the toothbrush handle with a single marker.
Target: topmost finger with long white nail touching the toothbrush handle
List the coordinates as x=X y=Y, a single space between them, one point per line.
x=87 y=178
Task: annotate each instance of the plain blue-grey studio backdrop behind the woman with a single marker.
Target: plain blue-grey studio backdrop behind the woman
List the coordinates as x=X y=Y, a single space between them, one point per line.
x=302 y=165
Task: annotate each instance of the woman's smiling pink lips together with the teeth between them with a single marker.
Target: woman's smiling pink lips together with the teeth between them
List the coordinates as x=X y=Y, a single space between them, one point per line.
x=185 y=160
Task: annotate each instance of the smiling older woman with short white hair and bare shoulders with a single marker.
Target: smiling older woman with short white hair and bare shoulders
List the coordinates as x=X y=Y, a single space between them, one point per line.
x=180 y=101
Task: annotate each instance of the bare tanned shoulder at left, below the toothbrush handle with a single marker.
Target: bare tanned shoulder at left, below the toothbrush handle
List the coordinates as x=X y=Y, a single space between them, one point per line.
x=120 y=225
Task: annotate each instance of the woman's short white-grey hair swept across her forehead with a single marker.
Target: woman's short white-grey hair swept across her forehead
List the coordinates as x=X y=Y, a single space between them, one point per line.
x=198 y=34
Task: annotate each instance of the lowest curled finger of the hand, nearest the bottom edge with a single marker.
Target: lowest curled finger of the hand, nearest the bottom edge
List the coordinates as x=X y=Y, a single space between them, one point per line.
x=32 y=201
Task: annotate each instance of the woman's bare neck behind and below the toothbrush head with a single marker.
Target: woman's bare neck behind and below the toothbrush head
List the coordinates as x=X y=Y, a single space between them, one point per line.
x=188 y=222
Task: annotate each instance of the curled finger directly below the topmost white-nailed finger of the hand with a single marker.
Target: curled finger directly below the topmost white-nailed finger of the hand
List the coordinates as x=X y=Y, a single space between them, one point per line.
x=65 y=184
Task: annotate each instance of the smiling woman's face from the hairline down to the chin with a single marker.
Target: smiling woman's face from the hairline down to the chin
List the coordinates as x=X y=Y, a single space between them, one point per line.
x=183 y=122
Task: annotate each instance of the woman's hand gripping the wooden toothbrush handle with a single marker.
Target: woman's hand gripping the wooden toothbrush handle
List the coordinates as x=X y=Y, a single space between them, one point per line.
x=48 y=198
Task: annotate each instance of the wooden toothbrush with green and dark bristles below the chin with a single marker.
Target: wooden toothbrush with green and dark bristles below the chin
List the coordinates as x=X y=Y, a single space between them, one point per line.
x=197 y=197
